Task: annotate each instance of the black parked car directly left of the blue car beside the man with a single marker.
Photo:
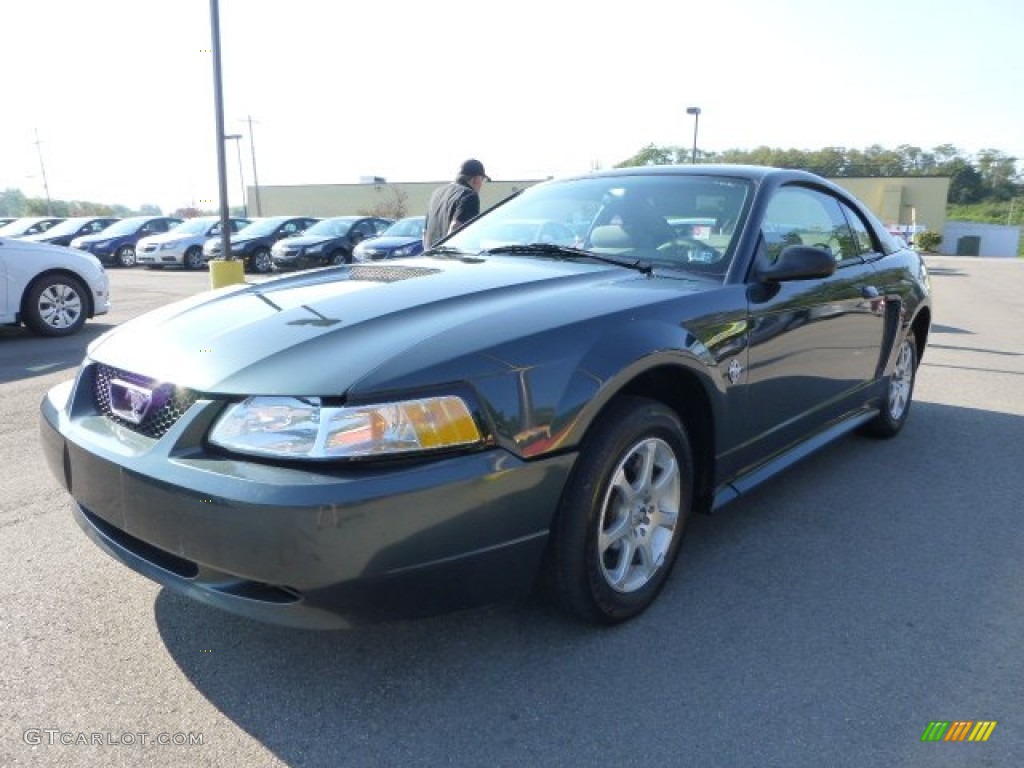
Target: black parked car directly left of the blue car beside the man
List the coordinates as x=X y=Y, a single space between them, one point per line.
x=327 y=242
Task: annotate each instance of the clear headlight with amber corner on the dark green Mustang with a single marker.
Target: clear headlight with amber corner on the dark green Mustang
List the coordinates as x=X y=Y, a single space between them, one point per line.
x=303 y=429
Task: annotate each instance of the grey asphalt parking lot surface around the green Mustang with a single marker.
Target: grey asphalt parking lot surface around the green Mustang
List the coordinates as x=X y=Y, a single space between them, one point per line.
x=824 y=621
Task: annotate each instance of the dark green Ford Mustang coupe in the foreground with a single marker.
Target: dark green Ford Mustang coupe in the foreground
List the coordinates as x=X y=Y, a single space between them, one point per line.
x=450 y=430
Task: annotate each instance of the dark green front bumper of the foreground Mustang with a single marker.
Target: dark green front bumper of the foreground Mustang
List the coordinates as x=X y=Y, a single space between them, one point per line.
x=315 y=547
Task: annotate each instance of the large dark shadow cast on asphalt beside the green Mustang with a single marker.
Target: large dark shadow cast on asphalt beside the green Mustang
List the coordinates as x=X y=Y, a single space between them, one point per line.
x=798 y=612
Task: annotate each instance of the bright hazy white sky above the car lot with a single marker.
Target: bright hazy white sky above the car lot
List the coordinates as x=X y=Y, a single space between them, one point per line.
x=119 y=95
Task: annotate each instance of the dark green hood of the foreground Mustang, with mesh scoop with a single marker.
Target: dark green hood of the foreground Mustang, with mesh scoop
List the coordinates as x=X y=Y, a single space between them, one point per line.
x=330 y=332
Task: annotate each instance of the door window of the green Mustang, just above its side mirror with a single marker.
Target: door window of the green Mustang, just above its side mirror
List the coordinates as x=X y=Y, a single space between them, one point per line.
x=799 y=216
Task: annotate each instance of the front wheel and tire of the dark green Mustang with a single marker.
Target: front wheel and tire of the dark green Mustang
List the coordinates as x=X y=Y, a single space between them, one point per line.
x=618 y=530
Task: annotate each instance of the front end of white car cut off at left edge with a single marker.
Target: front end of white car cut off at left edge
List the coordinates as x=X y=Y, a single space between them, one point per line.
x=51 y=289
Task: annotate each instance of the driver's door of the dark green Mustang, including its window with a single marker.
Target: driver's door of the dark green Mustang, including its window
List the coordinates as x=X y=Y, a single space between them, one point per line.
x=815 y=345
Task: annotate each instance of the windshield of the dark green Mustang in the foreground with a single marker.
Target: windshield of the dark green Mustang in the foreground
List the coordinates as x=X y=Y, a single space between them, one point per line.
x=684 y=222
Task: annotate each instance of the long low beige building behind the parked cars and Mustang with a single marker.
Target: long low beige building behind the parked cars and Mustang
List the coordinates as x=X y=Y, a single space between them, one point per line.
x=899 y=202
